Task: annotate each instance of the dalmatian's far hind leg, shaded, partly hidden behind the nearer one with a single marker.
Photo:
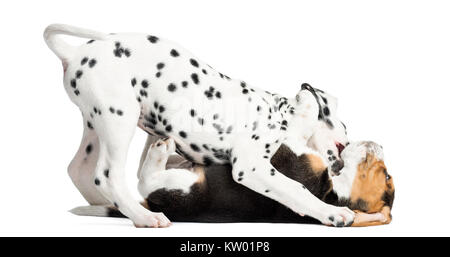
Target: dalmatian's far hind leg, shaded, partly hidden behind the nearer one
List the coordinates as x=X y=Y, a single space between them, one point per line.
x=82 y=168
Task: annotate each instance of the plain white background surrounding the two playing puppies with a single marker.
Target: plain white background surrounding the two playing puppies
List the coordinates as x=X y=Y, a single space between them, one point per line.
x=388 y=62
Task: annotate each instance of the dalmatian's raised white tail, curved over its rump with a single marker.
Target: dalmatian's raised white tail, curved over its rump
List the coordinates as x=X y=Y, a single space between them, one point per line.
x=63 y=50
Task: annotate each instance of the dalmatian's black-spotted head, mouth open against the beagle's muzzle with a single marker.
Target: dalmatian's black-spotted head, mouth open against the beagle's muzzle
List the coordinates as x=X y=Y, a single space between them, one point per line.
x=330 y=136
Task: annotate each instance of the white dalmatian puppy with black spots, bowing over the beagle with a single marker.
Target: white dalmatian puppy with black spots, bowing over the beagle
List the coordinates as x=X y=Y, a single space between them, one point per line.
x=121 y=81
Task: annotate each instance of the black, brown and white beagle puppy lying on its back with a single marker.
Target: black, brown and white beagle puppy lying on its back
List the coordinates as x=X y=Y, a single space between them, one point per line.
x=187 y=192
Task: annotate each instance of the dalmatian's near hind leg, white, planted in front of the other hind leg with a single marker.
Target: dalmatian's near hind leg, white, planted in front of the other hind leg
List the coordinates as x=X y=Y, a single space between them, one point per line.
x=115 y=132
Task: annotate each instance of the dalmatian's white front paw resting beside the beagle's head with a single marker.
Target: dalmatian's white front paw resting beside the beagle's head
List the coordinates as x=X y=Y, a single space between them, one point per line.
x=338 y=216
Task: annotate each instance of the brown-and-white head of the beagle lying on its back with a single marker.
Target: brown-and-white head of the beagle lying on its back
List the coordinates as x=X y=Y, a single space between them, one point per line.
x=365 y=184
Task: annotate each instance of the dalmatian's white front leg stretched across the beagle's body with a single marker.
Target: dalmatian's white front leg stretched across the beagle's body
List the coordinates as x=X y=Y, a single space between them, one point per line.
x=255 y=172
